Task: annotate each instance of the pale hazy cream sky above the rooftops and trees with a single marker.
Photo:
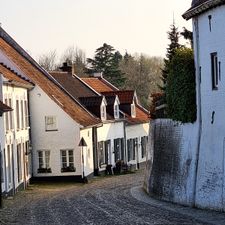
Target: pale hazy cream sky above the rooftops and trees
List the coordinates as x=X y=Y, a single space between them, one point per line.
x=135 y=26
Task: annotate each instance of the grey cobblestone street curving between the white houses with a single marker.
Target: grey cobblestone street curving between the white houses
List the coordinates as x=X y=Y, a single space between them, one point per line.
x=108 y=200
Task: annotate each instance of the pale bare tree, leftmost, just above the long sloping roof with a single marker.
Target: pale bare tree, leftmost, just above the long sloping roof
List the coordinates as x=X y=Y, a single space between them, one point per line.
x=48 y=60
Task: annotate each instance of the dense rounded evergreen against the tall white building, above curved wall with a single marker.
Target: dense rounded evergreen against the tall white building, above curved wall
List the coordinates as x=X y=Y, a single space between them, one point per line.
x=180 y=91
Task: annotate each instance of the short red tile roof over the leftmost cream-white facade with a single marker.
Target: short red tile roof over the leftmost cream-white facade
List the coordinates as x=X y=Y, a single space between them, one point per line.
x=13 y=76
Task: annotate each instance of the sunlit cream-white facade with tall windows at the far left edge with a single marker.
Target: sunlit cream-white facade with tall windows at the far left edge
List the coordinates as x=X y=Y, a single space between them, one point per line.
x=15 y=143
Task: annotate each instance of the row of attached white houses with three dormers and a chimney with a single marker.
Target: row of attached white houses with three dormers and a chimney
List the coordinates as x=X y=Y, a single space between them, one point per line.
x=125 y=124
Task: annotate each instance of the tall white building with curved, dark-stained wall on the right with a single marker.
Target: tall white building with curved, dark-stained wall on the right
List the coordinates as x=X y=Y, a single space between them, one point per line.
x=186 y=161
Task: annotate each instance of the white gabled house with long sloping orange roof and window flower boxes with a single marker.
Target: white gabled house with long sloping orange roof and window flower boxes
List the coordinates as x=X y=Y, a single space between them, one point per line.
x=57 y=120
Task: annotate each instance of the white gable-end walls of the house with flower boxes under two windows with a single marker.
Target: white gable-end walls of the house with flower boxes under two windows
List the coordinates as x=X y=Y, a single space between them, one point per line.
x=65 y=136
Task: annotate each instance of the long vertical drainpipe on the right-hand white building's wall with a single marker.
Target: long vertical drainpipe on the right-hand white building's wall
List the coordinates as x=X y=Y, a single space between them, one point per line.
x=199 y=110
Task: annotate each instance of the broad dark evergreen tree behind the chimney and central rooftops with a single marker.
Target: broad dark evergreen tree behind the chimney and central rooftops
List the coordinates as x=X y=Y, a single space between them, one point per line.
x=107 y=61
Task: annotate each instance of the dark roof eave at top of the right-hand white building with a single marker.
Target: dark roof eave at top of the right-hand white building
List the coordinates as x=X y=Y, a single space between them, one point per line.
x=192 y=12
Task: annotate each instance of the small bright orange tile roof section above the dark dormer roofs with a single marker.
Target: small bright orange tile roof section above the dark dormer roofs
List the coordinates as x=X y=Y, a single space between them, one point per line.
x=99 y=84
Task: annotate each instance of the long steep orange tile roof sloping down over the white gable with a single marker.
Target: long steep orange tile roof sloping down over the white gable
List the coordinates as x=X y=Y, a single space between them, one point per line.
x=40 y=77
